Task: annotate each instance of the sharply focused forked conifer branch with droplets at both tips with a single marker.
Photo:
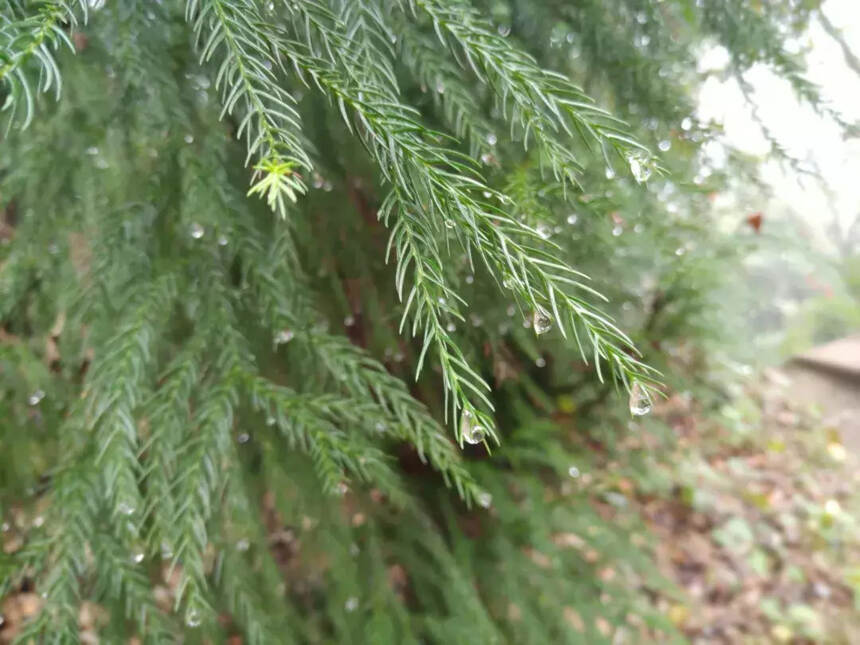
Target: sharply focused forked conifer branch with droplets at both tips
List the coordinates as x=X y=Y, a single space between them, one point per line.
x=432 y=183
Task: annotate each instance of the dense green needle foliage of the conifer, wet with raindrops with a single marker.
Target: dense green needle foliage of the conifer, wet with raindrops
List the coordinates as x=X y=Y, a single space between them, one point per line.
x=317 y=271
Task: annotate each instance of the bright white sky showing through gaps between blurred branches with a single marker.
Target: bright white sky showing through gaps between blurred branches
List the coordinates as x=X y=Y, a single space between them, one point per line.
x=804 y=134
